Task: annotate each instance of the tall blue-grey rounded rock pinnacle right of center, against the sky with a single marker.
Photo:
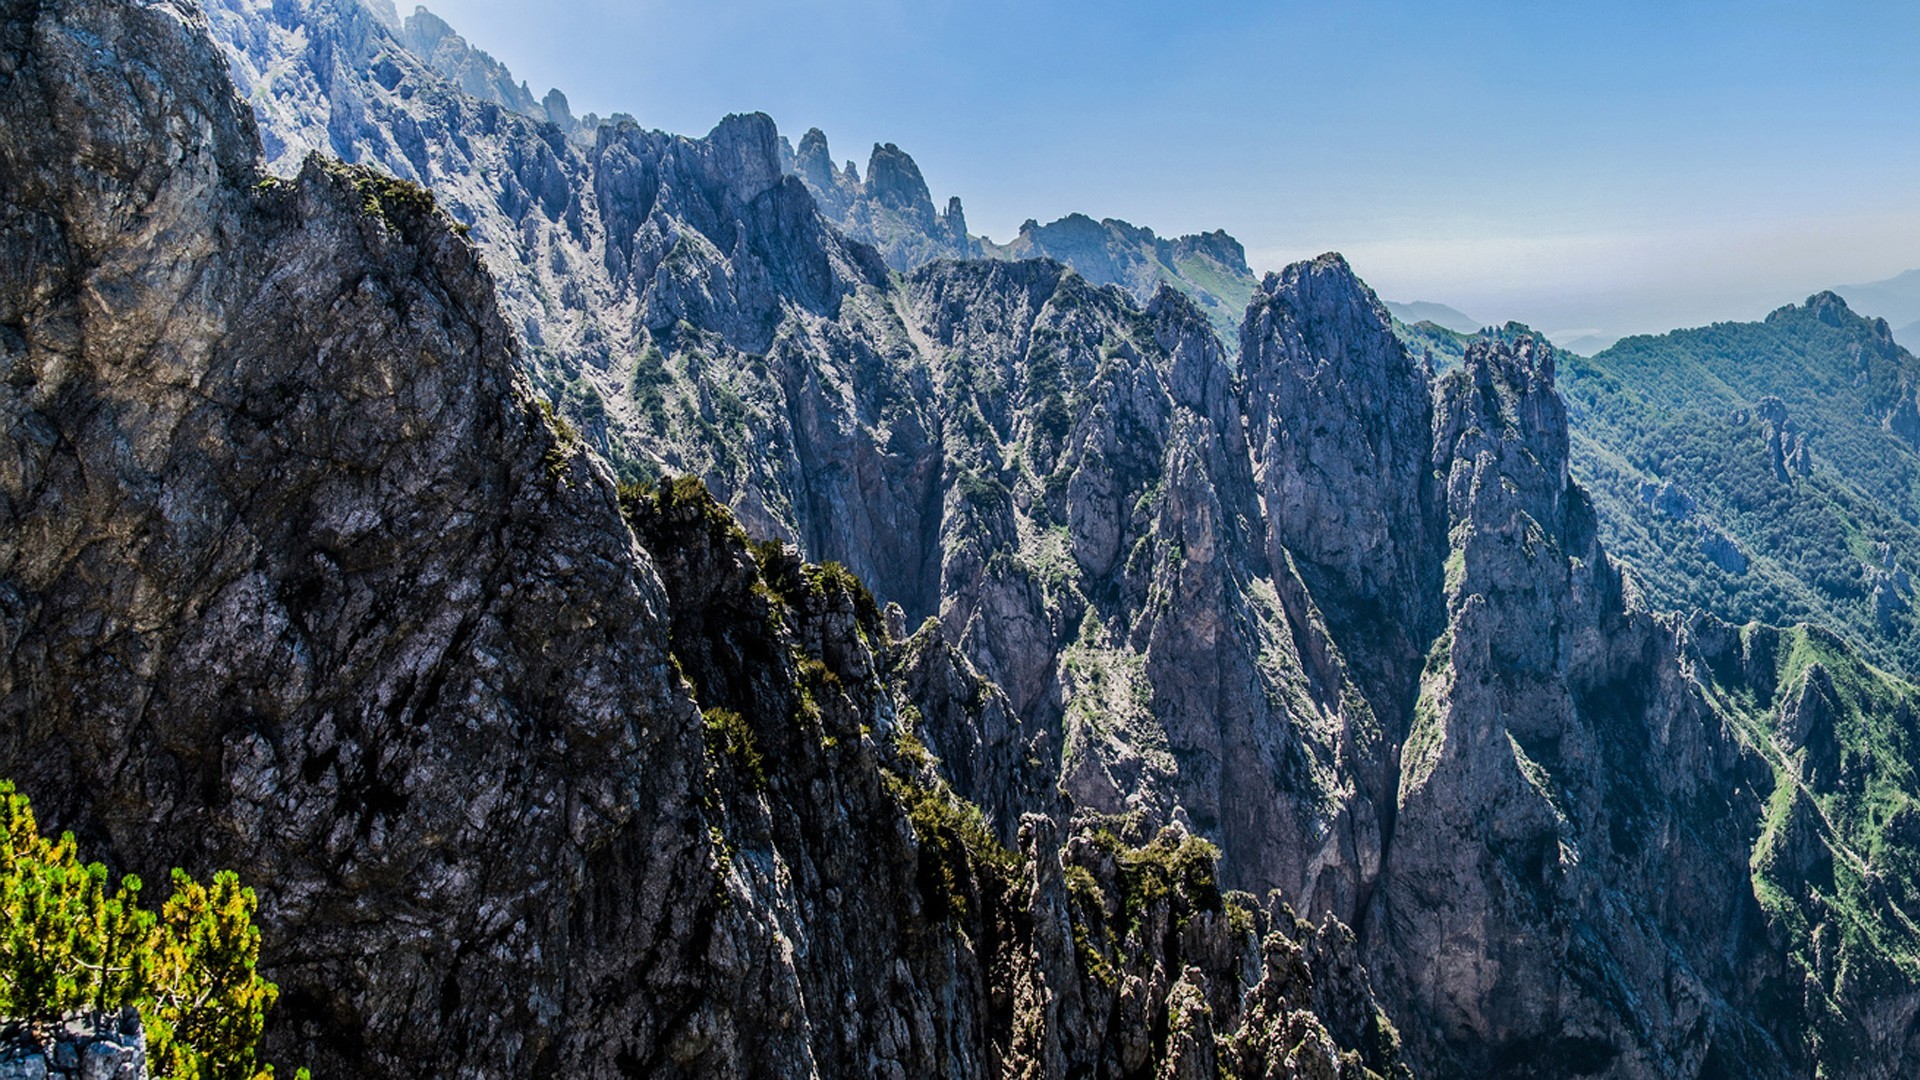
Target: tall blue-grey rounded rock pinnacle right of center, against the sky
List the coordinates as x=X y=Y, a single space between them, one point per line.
x=1339 y=418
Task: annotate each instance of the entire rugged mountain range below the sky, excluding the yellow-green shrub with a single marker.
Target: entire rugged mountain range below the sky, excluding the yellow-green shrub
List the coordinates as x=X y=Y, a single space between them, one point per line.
x=660 y=606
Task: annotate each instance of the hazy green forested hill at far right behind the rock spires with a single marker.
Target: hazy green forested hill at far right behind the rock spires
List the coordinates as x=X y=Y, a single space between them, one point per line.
x=1762 y=470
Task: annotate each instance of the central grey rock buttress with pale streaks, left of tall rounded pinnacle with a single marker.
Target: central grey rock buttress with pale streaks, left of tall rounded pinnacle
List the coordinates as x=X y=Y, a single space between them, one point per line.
x=1103 y=562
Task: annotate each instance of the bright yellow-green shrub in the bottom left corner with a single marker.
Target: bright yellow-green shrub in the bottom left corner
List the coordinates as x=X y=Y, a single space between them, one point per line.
x=72 y=945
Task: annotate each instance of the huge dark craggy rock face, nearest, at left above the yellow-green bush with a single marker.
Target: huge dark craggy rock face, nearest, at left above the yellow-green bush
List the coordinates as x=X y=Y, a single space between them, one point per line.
x=299 y=581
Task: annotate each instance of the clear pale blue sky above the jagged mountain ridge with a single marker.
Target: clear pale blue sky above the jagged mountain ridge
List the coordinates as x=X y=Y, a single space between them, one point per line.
x=1581 y=166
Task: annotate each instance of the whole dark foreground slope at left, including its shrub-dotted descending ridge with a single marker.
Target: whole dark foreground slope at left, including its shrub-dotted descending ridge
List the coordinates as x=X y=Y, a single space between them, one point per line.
x=533 y=779
